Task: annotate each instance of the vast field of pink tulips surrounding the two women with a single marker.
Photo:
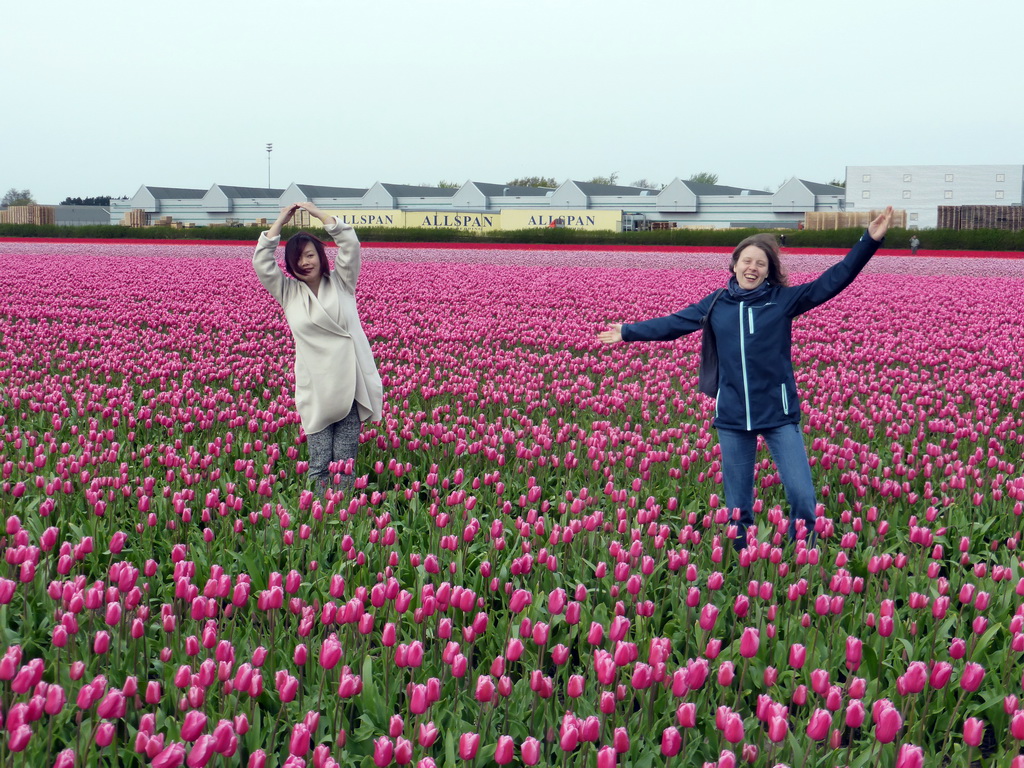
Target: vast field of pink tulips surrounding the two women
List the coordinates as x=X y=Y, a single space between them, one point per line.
x=535 y=566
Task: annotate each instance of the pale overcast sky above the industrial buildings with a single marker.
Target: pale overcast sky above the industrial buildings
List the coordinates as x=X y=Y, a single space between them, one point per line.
x=103 y=98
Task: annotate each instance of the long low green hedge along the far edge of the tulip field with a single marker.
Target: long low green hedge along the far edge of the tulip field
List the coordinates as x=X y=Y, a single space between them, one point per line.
x=948 y=240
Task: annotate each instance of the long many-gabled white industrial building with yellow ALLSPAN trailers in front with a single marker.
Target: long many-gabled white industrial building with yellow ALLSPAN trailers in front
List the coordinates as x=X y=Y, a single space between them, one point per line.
x=680 y=204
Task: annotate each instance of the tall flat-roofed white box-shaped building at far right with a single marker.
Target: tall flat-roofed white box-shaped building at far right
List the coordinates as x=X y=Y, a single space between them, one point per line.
x=920 y=190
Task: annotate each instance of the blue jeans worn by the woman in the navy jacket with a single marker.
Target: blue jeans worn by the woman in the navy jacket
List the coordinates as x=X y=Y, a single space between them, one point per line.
x=790 y=454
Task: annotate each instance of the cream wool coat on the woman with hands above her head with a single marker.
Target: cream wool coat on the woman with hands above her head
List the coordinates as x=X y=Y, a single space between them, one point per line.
x=334 y=364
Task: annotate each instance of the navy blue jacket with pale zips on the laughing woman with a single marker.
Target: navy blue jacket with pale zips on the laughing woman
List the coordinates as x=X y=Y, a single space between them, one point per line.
x=757 y=389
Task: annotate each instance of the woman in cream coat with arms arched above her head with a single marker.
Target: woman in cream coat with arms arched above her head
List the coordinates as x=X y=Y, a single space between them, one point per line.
x=337 y=387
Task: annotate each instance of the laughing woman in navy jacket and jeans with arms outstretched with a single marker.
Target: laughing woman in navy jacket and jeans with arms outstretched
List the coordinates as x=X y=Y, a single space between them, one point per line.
x=753 y=327
